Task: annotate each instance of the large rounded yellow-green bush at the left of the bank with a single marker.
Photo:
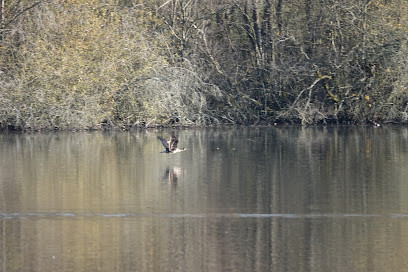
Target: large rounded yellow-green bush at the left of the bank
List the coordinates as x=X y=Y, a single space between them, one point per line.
x=72 y=58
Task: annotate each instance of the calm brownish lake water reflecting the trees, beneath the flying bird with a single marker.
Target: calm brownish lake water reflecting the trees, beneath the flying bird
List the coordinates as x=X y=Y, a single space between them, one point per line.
x=242 y=199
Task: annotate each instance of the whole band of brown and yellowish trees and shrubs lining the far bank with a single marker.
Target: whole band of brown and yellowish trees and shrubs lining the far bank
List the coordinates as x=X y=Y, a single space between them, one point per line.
x=85 y=64
